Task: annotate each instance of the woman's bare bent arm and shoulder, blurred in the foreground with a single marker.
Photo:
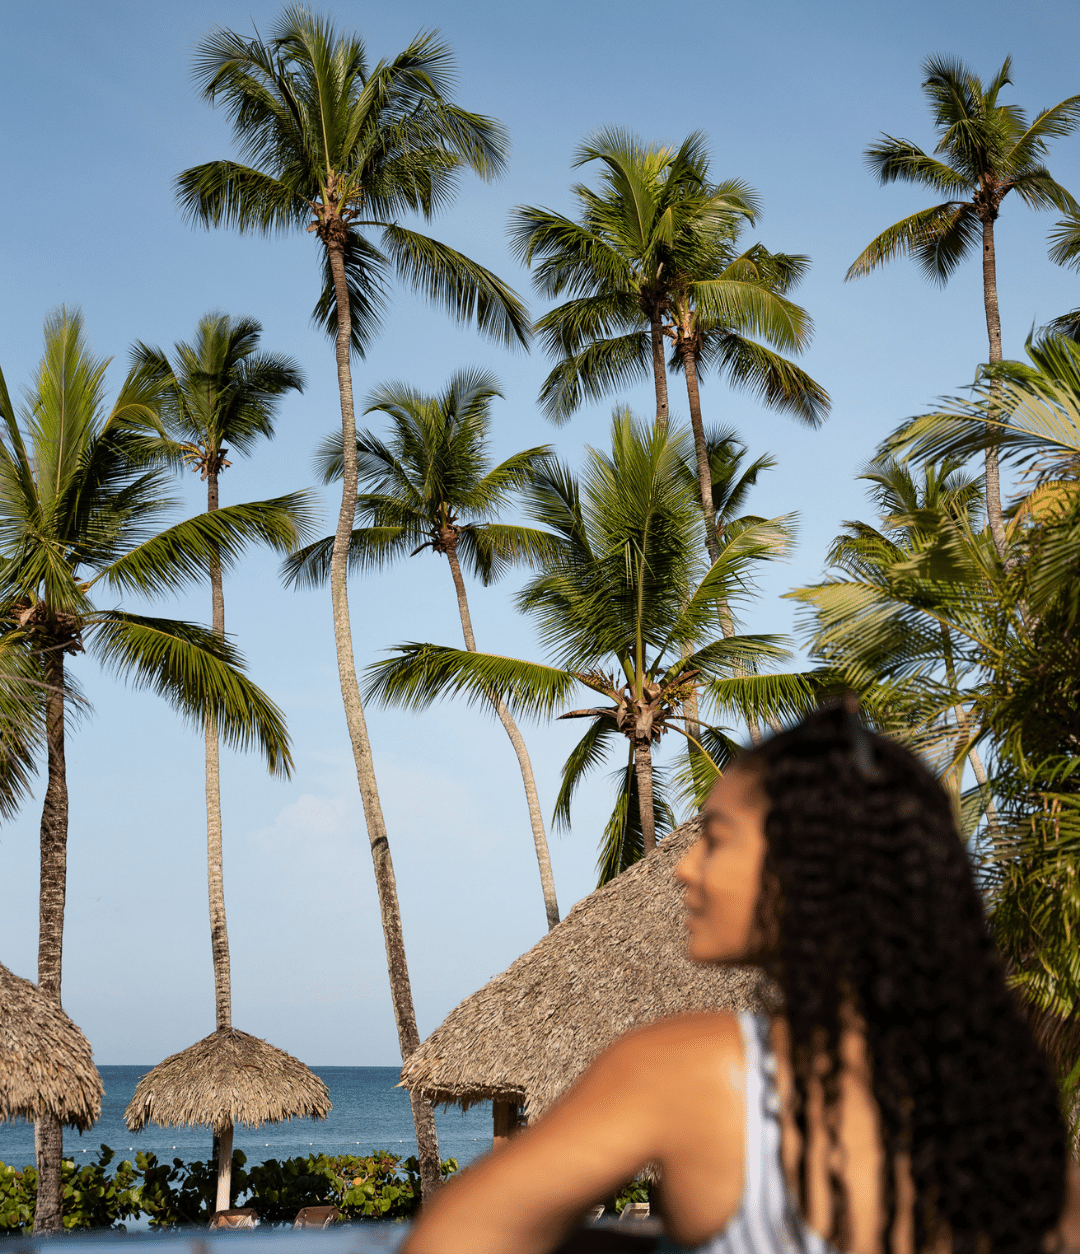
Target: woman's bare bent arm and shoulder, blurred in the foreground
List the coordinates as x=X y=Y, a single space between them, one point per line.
x=642 y=1102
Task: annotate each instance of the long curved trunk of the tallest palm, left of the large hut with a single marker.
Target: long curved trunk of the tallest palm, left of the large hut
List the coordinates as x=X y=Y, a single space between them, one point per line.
x=401 y=989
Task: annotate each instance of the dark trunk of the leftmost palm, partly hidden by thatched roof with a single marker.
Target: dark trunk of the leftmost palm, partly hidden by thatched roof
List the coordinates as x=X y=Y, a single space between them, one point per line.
x=50 y=1133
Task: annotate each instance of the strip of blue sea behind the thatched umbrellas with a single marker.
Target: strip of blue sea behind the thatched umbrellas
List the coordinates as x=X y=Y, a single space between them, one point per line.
x=369 y=1114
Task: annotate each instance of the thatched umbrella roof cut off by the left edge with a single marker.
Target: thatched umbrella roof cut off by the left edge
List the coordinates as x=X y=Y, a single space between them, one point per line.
x=46 y=1063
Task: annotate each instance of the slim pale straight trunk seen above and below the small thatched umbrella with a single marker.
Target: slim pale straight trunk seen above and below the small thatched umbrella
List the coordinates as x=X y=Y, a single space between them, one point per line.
x=215 y=870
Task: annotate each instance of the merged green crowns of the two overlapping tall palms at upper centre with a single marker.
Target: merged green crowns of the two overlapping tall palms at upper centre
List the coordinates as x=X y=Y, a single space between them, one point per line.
x=654 y=249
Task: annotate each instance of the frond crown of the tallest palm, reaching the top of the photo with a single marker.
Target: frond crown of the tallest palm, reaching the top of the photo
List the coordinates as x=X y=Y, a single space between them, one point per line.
x=338 y=147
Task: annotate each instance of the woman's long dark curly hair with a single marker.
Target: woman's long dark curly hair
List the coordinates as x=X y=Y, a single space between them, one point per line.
x=875 y=911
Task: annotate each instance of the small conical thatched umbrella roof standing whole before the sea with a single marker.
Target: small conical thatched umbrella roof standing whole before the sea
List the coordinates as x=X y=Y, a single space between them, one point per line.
x=226 y=1079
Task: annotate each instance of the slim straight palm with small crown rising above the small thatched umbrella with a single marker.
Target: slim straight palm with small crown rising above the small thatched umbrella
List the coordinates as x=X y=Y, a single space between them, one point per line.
x=220 y=397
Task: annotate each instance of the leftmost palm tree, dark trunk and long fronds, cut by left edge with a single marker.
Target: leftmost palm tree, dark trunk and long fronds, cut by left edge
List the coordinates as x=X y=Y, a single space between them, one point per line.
x=78 y=508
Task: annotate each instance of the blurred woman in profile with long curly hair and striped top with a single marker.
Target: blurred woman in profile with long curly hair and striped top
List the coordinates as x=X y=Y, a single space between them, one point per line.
x=896 y=1104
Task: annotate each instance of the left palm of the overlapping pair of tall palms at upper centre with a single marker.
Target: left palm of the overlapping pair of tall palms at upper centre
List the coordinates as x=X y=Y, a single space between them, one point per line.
x=617 y=263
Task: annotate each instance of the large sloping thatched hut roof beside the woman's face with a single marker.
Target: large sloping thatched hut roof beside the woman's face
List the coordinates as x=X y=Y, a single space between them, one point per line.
x=615 y=962
